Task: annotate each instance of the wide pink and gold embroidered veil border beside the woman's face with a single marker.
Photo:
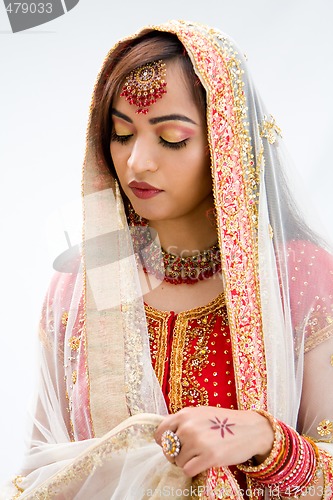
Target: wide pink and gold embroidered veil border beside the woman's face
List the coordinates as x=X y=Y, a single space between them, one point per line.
x=235 y=182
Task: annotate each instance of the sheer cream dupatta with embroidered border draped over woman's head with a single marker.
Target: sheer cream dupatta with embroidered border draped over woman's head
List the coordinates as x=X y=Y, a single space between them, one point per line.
x=99 y=400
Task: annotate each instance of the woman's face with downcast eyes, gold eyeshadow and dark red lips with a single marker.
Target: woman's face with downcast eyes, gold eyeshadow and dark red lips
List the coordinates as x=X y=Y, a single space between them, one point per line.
x=162 y=158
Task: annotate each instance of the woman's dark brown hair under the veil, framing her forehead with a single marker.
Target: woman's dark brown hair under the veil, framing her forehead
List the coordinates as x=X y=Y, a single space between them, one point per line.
x=151 y=46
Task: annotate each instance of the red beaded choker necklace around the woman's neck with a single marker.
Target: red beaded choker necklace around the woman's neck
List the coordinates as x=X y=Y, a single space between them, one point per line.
x=174 y=269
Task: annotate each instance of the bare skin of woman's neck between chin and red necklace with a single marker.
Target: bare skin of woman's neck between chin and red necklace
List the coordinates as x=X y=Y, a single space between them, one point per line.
x=187 y=235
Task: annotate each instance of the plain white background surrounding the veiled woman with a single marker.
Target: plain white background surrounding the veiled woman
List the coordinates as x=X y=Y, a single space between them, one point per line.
x=47 y=75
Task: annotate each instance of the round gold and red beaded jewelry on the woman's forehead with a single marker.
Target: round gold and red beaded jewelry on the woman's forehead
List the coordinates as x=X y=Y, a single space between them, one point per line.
x=144 y=85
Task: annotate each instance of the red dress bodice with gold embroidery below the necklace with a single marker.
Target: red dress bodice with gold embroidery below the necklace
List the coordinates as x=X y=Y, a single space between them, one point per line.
x=195 y=351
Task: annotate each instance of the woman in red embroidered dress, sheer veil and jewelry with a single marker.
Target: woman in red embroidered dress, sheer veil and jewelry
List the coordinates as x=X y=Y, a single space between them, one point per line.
x=201 y=293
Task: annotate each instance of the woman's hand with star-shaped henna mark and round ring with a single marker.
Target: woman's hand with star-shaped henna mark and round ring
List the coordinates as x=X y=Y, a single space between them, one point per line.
x=216 y=437
